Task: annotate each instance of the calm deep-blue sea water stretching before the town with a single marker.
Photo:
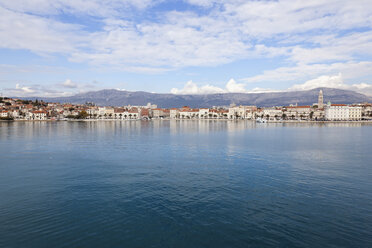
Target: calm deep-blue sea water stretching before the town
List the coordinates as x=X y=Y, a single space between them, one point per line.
x=185 y=184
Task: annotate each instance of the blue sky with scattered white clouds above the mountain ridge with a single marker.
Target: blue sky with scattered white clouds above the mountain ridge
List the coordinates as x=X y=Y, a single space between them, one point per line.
x=65 y=47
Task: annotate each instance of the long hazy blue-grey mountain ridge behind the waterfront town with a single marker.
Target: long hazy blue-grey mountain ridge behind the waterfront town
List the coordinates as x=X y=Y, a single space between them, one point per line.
x=119 y=98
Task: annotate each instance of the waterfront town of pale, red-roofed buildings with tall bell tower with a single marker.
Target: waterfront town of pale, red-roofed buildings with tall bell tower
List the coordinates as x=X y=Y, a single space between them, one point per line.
x=18 y=109
